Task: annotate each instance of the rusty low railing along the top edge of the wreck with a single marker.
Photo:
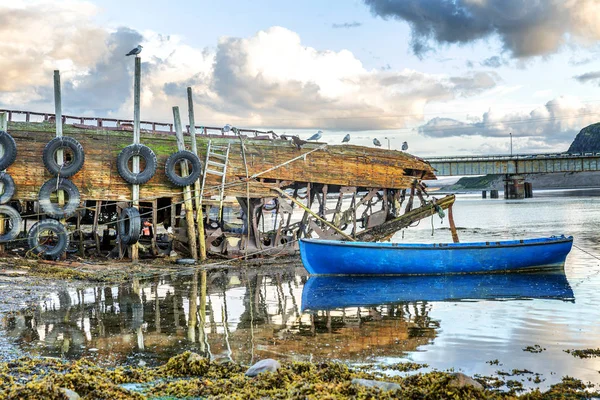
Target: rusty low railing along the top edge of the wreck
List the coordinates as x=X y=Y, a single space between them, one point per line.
x=125 y=124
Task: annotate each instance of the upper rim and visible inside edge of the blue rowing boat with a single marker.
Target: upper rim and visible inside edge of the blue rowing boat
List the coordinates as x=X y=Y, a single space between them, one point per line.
x=444 y=246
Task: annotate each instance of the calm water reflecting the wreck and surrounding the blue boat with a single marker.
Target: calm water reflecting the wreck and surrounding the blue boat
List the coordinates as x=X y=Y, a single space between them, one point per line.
x=461 y=323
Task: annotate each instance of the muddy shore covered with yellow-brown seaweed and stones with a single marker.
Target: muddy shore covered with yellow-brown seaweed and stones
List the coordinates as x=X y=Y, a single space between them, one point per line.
x=25 y=283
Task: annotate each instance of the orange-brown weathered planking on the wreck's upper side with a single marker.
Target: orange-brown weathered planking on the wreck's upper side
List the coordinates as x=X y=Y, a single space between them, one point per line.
x=344 y=165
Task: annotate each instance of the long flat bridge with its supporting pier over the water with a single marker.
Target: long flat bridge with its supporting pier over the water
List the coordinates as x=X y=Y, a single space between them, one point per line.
x=513 y=166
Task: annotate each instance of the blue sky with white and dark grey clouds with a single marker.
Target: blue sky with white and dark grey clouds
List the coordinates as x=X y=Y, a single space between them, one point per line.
x=450 y=77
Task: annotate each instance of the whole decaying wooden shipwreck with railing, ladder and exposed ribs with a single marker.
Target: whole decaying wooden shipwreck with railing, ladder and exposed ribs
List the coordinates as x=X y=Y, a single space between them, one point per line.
x=259 y=192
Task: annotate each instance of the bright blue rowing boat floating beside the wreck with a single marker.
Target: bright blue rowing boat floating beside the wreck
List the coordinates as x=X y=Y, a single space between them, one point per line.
x=330 y=257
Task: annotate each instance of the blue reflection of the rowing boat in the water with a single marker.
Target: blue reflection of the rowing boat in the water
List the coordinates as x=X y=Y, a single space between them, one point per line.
x=332 y=292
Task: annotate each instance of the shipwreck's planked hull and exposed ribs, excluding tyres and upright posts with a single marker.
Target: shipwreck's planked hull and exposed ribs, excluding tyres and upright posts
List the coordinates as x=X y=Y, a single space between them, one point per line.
x=353 y=188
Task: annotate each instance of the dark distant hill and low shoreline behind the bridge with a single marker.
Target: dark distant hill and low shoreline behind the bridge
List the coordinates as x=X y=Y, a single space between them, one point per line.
x=587 y=140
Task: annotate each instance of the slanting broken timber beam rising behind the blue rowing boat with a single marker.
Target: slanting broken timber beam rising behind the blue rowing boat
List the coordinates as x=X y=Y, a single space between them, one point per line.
x=388 y=228
